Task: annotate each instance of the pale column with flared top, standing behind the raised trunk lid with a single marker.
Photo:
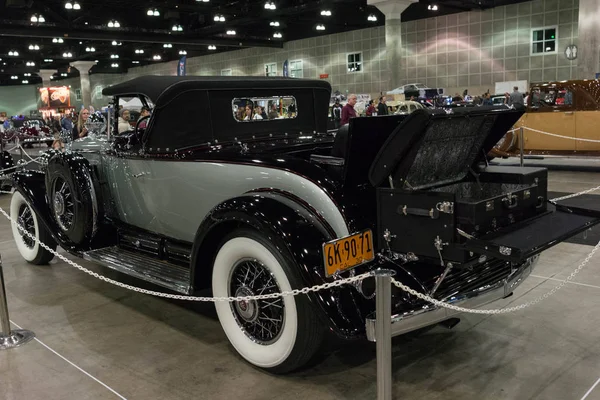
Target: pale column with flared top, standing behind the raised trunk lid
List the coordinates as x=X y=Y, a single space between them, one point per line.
x=392 y=9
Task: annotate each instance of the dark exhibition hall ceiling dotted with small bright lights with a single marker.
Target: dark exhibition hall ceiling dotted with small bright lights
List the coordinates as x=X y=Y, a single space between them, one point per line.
x=88 y=28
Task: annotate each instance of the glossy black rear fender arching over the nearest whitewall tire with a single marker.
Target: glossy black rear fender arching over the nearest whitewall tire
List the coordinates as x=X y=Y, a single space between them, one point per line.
x=298 y=235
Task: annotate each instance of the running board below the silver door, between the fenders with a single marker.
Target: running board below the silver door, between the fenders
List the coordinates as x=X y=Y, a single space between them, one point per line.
x=143 y=267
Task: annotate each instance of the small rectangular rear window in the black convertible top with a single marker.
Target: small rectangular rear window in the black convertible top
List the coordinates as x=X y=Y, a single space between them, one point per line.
x=256 y=109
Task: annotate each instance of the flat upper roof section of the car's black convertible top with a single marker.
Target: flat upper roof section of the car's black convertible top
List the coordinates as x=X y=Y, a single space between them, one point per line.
x=154 y=86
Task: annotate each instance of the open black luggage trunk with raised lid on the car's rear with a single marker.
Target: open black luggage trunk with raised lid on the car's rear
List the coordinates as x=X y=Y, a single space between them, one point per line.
x=438 y=199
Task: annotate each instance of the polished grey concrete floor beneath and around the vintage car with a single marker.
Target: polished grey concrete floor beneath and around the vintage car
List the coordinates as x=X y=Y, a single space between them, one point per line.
x=98 y=341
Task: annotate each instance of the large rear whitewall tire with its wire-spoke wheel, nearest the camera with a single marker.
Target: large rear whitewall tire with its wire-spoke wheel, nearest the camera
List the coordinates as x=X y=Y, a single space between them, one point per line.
x=279 y=335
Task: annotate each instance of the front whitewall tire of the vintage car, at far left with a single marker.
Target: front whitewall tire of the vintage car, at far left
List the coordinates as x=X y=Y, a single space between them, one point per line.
x=25 y=216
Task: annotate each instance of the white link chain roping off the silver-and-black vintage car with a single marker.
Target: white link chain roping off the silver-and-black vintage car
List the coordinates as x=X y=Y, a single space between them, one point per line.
x=316 y=288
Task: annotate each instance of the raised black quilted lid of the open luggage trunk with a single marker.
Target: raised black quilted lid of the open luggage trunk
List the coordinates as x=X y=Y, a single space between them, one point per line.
x=434 y=147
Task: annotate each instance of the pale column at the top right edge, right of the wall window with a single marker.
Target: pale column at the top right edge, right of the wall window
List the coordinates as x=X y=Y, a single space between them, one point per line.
x=588 y=54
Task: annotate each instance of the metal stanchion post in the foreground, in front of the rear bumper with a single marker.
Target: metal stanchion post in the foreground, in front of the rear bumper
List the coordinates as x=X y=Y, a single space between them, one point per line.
x=383 y=332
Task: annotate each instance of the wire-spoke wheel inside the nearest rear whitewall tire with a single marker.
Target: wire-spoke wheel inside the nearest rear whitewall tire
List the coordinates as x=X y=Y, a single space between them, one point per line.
x=263 y=320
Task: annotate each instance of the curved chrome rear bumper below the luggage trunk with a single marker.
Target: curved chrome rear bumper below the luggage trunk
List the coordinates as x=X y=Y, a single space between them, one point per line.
x=431 y=314
